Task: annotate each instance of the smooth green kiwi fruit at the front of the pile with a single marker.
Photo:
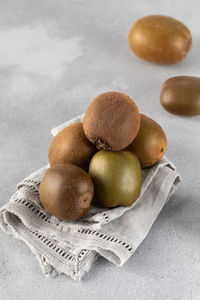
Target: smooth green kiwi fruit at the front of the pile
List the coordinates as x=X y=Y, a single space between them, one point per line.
x=116 y=177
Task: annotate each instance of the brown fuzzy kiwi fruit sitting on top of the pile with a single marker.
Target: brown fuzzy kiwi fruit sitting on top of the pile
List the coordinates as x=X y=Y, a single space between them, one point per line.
x=112 y=121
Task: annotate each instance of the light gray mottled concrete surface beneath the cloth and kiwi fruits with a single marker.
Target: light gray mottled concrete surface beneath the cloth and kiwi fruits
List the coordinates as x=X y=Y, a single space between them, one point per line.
x=55 y=57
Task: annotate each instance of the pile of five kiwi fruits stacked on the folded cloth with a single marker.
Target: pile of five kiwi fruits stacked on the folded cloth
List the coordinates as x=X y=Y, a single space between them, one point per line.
x=99 y=160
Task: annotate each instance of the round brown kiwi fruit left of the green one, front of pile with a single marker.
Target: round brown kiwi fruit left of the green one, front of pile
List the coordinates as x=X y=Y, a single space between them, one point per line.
x=66 y=192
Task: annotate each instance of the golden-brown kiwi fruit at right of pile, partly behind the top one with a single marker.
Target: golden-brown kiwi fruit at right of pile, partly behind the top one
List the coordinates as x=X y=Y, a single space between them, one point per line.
x=150 y=144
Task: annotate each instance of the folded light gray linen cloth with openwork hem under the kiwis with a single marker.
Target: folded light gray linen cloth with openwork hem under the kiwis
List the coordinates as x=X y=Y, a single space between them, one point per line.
x=72 y=247
